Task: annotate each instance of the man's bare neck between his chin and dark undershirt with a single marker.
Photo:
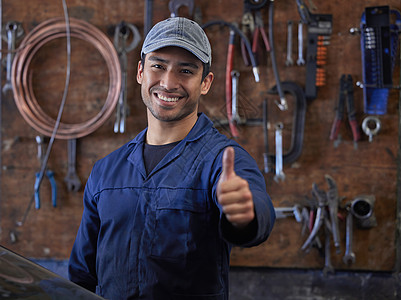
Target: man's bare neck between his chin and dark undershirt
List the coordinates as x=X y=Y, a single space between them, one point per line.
x=161 y=133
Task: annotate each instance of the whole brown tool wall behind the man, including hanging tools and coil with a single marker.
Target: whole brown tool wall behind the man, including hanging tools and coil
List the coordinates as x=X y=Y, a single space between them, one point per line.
x=309 y=88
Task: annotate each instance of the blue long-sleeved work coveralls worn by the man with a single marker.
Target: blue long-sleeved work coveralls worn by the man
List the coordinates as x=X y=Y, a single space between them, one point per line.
x=163 y=235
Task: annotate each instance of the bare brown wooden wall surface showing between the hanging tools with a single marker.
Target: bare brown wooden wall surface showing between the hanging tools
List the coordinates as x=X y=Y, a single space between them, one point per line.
x=370 y=169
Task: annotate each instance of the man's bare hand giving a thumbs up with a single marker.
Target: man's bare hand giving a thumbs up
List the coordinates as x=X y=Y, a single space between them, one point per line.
x=233 y=193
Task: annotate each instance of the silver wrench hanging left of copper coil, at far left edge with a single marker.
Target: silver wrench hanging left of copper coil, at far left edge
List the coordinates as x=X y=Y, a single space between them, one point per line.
x=14 y=31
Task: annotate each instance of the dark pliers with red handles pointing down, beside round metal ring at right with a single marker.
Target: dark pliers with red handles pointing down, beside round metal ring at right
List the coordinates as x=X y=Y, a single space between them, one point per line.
x=345 y=99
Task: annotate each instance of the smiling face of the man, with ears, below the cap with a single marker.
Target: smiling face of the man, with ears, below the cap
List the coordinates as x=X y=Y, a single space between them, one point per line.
x=171 y=84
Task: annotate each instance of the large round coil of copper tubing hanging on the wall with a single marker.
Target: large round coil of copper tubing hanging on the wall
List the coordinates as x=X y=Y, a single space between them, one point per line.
x=24 y=97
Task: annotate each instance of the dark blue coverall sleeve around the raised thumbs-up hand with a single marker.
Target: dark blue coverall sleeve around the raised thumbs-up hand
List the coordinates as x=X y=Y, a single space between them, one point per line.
x=260 y=228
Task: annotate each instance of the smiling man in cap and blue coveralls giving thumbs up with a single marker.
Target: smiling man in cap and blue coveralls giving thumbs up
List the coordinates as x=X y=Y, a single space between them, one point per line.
x=162 y=212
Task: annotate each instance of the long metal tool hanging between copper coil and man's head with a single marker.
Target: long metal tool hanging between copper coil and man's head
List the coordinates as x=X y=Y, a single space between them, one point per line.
x=121 y=34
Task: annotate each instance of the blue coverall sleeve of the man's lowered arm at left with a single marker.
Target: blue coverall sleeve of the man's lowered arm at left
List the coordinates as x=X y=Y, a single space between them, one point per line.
x=82 y=262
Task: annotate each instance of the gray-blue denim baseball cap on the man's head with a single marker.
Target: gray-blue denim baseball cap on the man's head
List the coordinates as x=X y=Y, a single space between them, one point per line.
x=179 y=32
